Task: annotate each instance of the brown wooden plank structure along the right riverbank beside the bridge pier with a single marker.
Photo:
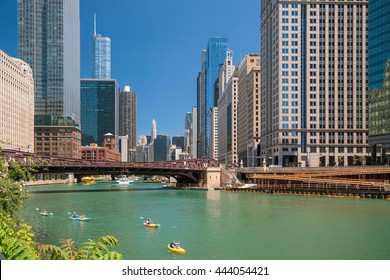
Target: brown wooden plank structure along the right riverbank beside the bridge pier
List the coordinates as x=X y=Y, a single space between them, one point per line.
x=354 y=182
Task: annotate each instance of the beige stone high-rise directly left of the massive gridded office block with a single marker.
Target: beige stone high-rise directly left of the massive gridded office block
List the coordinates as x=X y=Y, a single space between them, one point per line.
x=248 y=110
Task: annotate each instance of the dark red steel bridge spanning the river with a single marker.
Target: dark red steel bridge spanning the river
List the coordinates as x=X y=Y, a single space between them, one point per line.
x=184 y=171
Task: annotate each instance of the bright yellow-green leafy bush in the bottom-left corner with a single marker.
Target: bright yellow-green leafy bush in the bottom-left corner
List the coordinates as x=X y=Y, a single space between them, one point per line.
x=16 y=242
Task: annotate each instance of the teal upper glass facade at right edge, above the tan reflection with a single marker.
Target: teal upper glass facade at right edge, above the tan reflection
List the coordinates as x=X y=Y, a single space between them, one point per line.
x=378 y=41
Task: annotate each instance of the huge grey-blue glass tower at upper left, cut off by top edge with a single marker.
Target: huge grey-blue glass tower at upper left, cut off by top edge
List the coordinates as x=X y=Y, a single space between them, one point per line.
x=49 y=41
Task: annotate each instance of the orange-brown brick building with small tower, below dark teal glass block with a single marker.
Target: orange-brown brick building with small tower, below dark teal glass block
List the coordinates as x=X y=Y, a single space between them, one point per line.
x=105 y=153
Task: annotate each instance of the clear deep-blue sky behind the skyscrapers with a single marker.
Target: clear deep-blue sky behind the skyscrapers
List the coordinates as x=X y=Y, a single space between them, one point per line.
x=156 y=47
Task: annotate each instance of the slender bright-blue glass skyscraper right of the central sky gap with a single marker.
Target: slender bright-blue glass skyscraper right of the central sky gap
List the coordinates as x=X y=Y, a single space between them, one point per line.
x=207 y=91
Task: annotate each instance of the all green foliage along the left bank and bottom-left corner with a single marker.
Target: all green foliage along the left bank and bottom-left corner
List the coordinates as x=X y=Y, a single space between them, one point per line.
x=16 y=241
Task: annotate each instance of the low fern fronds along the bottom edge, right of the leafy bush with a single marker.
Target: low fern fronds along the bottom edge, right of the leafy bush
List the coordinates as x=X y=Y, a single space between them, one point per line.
x=98 y=249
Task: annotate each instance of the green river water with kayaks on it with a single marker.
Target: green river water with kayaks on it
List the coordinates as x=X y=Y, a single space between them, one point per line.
x=213 y=225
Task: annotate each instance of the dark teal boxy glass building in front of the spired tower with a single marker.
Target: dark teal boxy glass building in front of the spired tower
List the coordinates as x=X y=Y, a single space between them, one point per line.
x=99 y=110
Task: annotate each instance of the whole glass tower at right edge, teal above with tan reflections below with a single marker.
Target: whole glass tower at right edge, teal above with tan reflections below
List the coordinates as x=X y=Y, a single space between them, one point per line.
x=378 y=58
